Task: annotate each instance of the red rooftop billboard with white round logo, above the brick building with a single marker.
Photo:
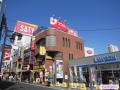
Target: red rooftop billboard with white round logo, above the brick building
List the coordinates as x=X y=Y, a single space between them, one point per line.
x=58 y=24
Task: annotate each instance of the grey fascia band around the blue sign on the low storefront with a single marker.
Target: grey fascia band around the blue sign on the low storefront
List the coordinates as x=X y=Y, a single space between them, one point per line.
x=90 y=60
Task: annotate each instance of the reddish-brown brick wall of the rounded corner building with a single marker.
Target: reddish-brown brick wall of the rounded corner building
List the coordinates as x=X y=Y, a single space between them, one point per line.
x=77 y=53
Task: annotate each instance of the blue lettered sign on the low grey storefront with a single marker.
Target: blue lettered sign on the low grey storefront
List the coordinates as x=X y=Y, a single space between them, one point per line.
x=105 y=59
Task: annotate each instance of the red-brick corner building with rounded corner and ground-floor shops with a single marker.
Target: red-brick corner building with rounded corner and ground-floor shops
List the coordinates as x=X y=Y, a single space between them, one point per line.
x=54 y=50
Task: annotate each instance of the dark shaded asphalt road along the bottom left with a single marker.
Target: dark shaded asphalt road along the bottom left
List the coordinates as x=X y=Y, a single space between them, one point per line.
x=6 y=85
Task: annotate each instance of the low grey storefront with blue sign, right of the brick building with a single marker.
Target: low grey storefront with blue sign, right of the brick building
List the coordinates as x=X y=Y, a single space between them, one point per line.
x=96 y=70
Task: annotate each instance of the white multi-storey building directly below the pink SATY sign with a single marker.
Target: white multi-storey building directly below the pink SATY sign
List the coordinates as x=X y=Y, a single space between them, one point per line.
x=20 y=44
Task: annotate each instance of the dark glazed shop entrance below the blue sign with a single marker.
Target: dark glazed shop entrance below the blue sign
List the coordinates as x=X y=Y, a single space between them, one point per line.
x=109 y=73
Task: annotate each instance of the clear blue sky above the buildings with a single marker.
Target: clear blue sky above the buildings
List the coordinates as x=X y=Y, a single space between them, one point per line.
x=81 y=15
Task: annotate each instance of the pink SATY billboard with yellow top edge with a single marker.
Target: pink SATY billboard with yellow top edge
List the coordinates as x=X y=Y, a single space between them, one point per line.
x=25 y=28
